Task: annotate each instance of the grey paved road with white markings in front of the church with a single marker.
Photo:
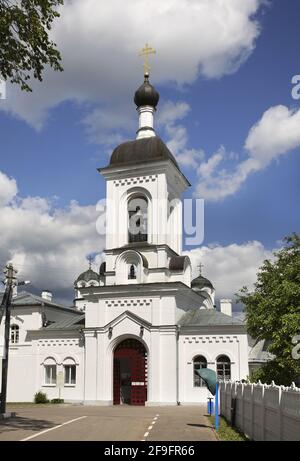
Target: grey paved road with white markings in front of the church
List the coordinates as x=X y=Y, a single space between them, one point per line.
x=117 y=423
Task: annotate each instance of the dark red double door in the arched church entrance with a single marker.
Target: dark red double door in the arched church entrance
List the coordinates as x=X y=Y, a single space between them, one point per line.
x=133 y=353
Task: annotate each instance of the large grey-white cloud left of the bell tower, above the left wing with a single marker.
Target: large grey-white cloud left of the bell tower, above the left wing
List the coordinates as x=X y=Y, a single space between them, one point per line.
x=48 y=245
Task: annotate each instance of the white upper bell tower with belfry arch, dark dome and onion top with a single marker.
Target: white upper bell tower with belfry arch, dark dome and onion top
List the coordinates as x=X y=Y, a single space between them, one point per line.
x=144 y=186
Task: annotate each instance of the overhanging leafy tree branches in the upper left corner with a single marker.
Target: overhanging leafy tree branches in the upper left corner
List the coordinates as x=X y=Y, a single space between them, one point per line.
x=25 y=47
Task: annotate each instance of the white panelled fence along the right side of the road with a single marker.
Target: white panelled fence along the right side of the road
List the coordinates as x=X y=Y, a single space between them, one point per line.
x=263 y=412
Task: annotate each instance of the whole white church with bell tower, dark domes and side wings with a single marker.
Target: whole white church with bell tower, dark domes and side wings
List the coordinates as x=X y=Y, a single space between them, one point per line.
x=139 y=327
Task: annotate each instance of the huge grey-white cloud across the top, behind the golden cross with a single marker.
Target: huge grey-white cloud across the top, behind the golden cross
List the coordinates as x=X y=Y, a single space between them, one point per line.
x=99 y=43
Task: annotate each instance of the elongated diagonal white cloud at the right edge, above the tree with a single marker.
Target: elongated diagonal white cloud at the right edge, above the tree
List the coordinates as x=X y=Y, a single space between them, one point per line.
x=275 y=134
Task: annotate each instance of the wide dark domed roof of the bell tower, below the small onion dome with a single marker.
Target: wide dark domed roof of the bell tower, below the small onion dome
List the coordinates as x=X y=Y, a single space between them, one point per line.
x=143 y=150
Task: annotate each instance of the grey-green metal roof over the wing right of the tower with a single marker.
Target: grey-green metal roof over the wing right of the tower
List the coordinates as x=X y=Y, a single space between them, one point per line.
x=207 y=317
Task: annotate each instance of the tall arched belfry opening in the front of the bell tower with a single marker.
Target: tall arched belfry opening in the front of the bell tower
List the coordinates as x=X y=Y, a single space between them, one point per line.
x=138 y=219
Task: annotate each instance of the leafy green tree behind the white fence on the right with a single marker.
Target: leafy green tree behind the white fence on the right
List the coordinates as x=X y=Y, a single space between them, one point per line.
x=273 y=311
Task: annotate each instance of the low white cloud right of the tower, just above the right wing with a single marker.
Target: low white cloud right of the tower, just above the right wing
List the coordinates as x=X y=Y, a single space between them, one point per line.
x=230 y=267
